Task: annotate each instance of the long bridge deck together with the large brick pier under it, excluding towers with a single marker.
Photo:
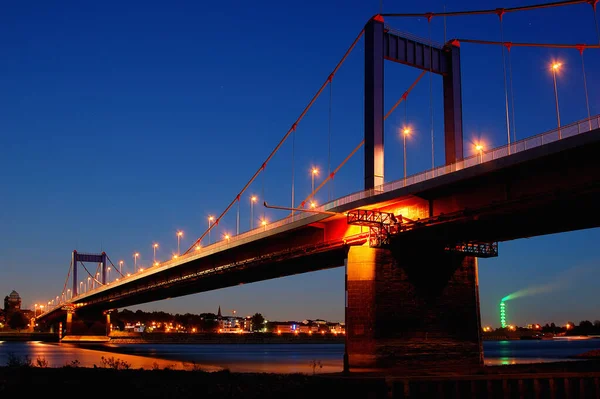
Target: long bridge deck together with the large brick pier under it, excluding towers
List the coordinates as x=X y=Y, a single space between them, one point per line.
x=420 y=260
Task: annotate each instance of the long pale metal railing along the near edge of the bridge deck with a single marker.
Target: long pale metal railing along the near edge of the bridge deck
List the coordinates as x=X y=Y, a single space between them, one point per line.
x=550 y=136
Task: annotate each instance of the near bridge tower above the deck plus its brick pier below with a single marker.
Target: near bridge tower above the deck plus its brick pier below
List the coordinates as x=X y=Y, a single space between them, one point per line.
x=411 y=306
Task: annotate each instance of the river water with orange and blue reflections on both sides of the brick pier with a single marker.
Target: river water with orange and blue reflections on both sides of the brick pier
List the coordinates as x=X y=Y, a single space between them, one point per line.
x=278 y=358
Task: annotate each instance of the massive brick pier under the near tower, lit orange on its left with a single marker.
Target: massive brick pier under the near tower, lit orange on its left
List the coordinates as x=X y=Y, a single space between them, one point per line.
x=415 y=312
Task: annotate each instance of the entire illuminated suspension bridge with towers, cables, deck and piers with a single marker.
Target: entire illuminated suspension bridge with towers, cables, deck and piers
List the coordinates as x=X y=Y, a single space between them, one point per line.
x=410 y=246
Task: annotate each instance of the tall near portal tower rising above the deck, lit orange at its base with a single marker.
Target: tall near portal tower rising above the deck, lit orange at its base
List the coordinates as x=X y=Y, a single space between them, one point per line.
x=381 y=45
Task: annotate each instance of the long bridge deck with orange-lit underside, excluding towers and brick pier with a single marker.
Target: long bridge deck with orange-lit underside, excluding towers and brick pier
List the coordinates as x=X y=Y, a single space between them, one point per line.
x=545 y=185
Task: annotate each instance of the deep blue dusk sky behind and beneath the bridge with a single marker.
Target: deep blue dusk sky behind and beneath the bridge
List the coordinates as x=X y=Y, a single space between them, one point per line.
x=122 y=122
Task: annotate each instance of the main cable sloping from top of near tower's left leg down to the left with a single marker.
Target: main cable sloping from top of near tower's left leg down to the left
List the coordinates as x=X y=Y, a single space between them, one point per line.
x=285 y=136
